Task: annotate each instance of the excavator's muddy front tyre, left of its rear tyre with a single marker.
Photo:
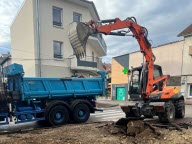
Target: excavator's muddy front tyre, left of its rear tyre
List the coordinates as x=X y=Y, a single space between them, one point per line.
x=169 y=115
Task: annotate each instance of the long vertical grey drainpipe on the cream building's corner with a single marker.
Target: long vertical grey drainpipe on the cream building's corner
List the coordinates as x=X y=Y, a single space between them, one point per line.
x=38 y=36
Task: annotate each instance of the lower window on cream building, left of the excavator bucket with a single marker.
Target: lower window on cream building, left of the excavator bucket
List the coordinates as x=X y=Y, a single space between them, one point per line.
x=57 y=48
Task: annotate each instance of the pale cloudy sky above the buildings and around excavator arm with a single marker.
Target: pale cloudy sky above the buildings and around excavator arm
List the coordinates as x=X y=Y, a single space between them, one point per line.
x=164 y=19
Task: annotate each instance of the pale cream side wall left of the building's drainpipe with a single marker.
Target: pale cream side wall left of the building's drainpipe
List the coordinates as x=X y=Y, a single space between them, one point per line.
x=23 y=38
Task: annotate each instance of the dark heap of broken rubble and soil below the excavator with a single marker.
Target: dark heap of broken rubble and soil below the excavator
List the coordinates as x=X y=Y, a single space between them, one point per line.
x=133 y=127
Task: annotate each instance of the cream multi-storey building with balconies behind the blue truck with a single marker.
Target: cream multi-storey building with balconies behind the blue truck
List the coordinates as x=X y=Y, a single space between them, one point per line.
x=33 y=34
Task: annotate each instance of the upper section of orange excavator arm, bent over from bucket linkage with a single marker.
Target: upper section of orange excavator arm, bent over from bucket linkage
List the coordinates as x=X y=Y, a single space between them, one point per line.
x=139 y=32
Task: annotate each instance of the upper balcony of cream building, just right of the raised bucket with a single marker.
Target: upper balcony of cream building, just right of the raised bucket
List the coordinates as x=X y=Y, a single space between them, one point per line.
x=97 y=42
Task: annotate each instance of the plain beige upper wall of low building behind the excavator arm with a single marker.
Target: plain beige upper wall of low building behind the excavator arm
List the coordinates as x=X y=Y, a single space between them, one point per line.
x=168 y=56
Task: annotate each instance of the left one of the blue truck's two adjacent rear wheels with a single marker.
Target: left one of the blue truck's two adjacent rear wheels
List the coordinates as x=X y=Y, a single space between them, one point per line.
x=58 y=115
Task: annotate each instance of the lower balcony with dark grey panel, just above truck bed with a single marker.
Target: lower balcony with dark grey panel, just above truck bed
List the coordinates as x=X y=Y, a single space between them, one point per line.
x=89 y=64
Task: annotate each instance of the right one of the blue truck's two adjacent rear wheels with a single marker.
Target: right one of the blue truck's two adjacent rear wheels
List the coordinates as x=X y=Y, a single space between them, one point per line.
x=81 y=113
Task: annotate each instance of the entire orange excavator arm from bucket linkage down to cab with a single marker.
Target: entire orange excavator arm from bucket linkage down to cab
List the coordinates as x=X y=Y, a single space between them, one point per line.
x=110 y=27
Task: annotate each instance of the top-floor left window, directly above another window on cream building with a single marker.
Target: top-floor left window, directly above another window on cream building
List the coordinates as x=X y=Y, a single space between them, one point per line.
x=57 y=16
